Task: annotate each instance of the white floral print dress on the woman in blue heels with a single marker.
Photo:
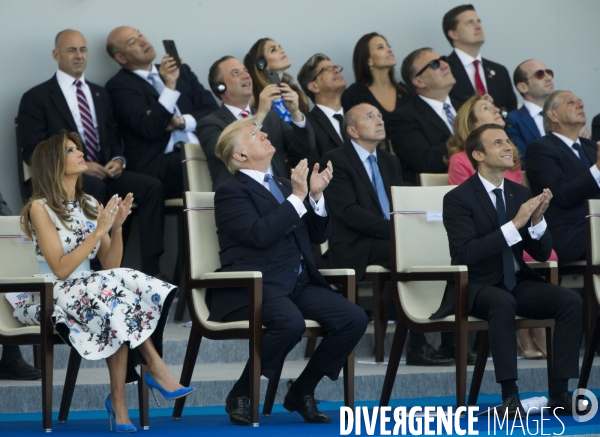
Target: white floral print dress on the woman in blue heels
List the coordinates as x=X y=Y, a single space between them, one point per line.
x=96 y=312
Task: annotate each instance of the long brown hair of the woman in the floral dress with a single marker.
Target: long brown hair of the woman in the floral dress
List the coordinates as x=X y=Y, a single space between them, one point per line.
x=48 y=164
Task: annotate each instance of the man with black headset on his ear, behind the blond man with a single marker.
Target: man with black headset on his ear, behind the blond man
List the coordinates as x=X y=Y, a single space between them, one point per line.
x=230 y=81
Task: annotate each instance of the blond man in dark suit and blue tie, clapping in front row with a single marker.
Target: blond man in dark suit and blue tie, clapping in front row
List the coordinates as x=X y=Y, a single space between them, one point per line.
x=268 y=224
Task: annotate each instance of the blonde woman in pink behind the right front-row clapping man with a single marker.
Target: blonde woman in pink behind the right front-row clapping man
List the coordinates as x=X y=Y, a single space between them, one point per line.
x=476 y=111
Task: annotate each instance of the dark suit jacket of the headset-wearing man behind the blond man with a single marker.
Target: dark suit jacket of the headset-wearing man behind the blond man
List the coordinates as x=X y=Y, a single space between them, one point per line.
x=291 y=142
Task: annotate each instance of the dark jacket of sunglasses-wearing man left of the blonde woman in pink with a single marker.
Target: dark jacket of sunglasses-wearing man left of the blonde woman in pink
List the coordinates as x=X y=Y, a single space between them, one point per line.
x=419 y=138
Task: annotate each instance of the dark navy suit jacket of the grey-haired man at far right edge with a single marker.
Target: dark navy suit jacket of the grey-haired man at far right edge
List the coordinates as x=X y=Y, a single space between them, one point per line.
x=551 y=164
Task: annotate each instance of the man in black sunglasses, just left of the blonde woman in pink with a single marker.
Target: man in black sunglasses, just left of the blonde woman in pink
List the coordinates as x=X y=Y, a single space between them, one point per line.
x=419 y=131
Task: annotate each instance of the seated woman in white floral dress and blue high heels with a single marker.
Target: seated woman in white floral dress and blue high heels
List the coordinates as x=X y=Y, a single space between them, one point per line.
x=105 y=314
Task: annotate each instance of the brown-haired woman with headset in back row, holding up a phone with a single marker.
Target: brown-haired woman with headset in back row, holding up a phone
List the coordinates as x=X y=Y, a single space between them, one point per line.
x=265 y=56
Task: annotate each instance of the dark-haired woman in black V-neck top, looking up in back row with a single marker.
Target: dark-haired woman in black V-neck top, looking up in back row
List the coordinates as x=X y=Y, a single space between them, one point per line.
x=373 y=62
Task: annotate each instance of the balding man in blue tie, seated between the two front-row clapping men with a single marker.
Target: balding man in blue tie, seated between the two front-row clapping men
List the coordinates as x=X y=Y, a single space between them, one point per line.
x=360 y=209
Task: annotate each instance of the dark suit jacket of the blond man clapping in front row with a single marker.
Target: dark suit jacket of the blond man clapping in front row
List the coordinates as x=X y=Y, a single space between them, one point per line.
x=256 y=233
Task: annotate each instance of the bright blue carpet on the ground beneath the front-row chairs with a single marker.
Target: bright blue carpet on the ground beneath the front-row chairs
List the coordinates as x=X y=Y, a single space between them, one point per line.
x=213 y=421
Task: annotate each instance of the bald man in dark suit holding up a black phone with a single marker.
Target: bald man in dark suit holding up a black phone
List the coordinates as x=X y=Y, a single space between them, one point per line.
x=156 y=106
